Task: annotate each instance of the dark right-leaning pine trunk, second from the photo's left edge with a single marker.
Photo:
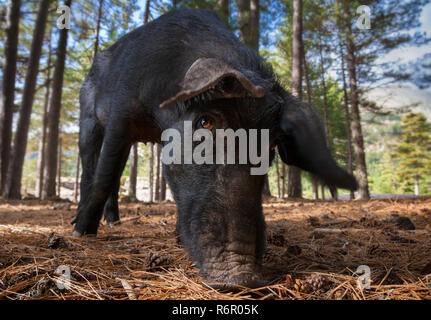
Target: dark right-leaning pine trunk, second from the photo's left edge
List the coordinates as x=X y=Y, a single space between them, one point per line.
x=12 y=188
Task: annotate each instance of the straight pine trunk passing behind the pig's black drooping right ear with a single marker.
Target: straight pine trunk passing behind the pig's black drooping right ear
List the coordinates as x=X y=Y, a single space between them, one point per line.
x=294 y=186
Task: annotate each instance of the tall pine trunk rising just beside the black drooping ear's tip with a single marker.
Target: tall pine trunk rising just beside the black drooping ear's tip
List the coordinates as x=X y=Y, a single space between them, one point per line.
x=357 y=137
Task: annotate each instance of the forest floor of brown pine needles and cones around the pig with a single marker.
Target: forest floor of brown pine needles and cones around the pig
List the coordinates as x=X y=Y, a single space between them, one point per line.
x=314 y=251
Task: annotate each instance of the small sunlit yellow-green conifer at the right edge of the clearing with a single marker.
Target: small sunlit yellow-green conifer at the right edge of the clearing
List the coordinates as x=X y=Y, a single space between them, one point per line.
x=414 y=152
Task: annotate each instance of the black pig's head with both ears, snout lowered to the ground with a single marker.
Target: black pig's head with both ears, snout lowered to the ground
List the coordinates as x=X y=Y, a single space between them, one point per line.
x=220 y=218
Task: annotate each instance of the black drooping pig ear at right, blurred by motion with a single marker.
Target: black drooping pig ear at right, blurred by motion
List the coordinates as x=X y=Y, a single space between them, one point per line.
x=302 y=144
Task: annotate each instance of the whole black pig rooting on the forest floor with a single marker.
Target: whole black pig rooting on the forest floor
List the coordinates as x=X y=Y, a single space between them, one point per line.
x=187 y=65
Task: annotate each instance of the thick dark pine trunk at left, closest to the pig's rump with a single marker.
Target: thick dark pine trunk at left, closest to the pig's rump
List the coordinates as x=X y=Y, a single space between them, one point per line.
x=54 y=114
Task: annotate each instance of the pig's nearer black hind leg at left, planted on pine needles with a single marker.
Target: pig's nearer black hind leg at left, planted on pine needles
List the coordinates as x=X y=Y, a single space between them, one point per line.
x=109 y=167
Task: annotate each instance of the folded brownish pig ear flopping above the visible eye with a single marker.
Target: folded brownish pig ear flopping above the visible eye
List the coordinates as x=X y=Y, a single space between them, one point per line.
x=218 y=79
